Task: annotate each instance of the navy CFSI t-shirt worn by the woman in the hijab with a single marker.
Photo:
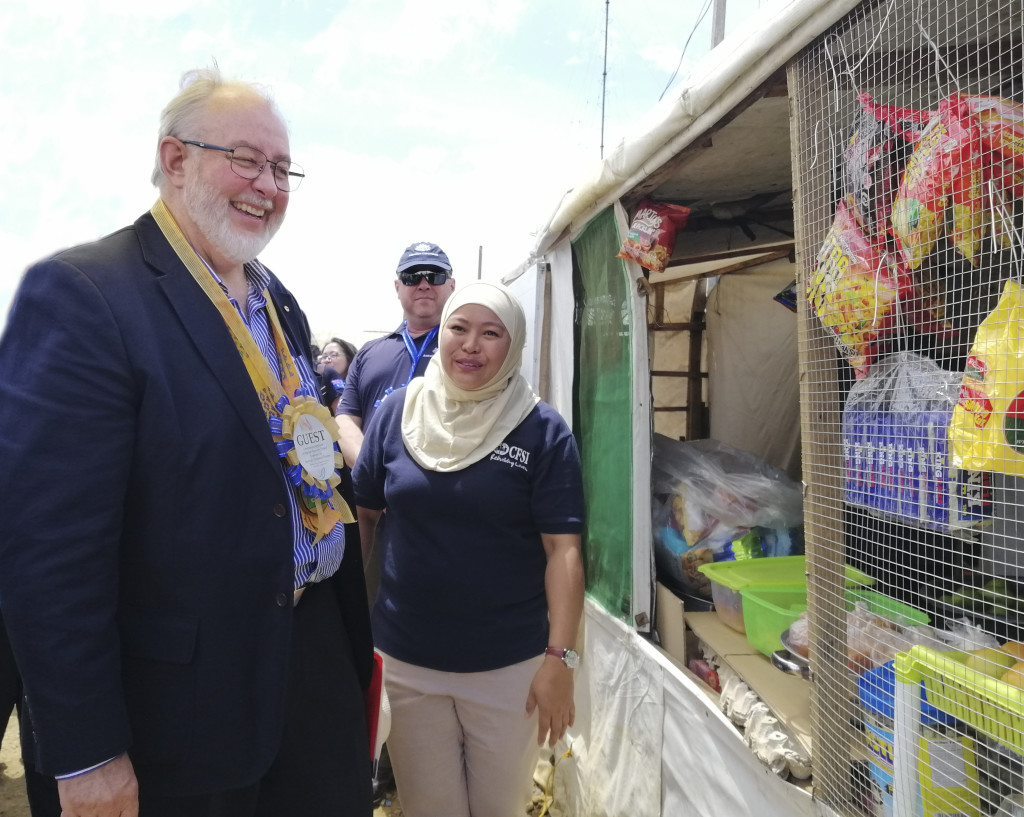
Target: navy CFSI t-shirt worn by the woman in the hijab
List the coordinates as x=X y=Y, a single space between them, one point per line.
x=462 y=578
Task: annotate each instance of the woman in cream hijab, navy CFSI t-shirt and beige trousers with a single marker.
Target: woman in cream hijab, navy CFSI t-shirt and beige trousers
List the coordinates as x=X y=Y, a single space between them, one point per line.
x=482 y=587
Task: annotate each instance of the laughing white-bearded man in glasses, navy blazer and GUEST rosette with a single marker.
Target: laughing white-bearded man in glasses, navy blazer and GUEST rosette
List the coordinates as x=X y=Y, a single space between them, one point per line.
x=190 y=621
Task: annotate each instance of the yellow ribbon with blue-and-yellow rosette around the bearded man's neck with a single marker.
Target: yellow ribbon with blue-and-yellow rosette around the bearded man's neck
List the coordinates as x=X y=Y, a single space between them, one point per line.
x=321 y=504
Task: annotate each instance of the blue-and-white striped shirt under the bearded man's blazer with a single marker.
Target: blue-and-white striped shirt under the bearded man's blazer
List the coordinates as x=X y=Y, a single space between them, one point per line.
x=313 y=563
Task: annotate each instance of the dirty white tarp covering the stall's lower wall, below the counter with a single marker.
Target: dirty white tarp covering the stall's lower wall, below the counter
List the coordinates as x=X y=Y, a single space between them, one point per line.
x=650 y=742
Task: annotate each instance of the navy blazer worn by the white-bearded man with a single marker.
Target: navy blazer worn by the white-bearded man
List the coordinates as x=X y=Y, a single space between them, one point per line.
x=146 y=548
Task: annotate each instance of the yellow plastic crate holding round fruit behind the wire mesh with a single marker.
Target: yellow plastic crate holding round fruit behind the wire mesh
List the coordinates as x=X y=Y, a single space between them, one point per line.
x=992 y=707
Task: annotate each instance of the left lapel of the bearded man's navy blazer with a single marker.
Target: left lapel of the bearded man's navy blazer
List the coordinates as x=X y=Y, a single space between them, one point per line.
x=206 y=328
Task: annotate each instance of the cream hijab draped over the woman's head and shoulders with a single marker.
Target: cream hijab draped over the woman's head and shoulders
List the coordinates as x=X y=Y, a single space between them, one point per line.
x=447 y=428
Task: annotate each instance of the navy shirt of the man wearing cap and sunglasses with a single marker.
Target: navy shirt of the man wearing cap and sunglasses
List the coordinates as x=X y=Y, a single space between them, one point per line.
x=378 y=369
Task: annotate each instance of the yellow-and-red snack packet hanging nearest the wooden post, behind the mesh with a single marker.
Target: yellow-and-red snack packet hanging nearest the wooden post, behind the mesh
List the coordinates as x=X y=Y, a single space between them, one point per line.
x=856 y=291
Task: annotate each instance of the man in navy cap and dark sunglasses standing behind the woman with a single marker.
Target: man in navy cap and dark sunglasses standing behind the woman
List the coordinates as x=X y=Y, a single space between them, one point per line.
x=424 y=283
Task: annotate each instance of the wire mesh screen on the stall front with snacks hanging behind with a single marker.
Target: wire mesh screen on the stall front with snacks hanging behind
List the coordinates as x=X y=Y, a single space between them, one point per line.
x=909 y=152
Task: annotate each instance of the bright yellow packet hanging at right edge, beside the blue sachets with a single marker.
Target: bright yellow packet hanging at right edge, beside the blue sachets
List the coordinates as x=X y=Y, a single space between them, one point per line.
x=988 y=427
